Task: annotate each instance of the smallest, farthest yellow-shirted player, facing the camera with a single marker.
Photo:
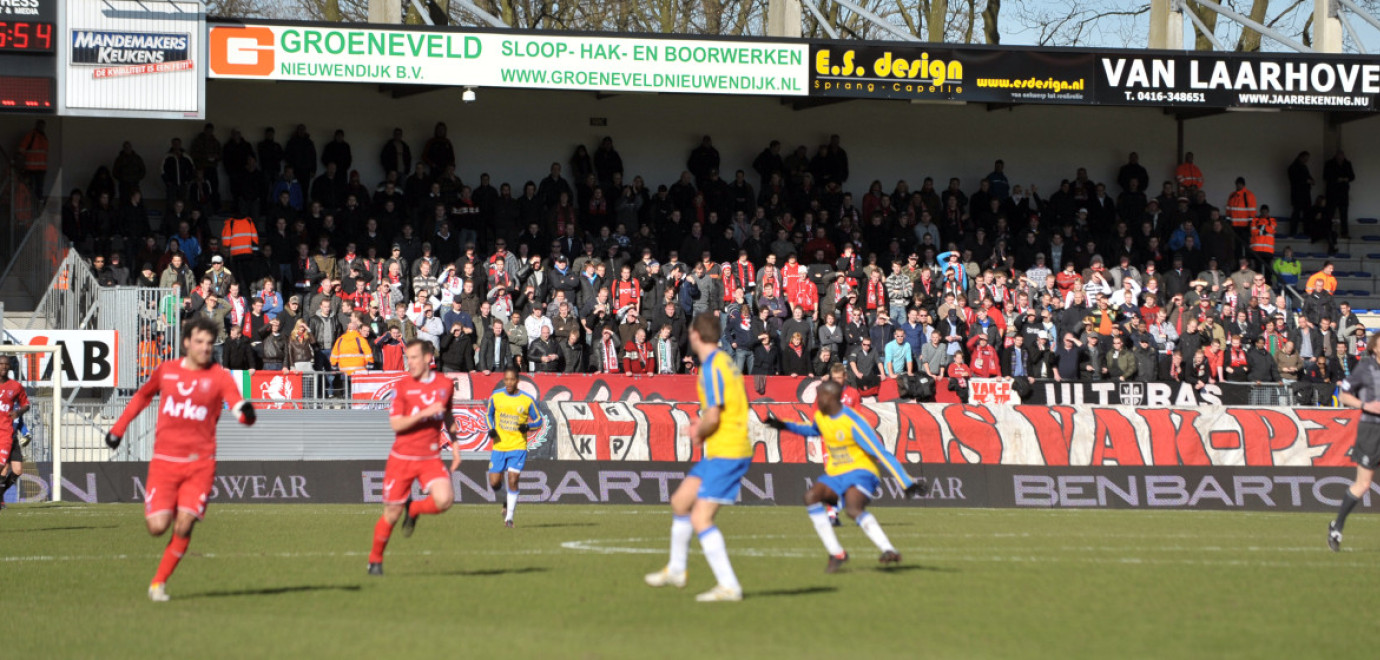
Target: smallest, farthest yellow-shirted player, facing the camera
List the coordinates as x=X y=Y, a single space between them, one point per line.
x=513 y=414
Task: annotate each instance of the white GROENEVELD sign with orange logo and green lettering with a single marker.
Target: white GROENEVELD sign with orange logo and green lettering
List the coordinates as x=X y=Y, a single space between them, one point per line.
x=507 y=60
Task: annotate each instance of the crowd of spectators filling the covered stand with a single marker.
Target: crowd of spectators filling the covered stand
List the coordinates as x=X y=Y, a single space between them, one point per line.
x=590 y=270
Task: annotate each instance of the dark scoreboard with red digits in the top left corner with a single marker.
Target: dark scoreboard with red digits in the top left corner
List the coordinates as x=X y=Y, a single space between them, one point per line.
x=28 y=56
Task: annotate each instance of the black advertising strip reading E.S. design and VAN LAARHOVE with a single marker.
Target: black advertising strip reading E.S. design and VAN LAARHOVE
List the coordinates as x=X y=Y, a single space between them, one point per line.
x=1073 y=77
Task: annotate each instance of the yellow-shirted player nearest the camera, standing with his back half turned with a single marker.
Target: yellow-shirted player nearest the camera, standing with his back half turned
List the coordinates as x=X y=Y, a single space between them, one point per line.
x=728 y=454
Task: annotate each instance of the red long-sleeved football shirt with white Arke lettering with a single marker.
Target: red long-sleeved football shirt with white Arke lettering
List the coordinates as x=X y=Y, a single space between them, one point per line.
x=190 y=405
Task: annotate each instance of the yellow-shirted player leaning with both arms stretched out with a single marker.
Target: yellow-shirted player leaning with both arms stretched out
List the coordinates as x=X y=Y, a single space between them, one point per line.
x=854 y=470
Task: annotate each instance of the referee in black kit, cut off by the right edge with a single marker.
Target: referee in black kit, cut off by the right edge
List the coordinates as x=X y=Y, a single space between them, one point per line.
x=1363 y=391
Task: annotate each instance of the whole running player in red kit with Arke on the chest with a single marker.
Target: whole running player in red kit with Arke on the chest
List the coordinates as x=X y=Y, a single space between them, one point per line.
x=193 y=391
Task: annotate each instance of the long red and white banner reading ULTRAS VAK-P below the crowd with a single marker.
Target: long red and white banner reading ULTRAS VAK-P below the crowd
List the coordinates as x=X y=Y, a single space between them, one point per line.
x=989 y=436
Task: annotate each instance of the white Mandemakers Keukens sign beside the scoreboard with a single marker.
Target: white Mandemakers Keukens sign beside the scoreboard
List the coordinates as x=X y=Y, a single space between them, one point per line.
x=133 y=60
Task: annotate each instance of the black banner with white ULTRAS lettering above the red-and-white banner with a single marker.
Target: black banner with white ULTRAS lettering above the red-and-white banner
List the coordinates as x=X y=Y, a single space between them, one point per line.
x=1139 y=394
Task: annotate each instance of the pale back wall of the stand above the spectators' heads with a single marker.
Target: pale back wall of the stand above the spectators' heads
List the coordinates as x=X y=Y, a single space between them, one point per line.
x=515 y=135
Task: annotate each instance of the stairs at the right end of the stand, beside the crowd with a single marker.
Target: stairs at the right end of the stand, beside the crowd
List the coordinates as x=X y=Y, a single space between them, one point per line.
x=1357 y=267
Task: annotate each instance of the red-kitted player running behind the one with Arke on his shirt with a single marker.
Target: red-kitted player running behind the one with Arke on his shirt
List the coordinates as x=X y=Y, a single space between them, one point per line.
x=422 y=418
